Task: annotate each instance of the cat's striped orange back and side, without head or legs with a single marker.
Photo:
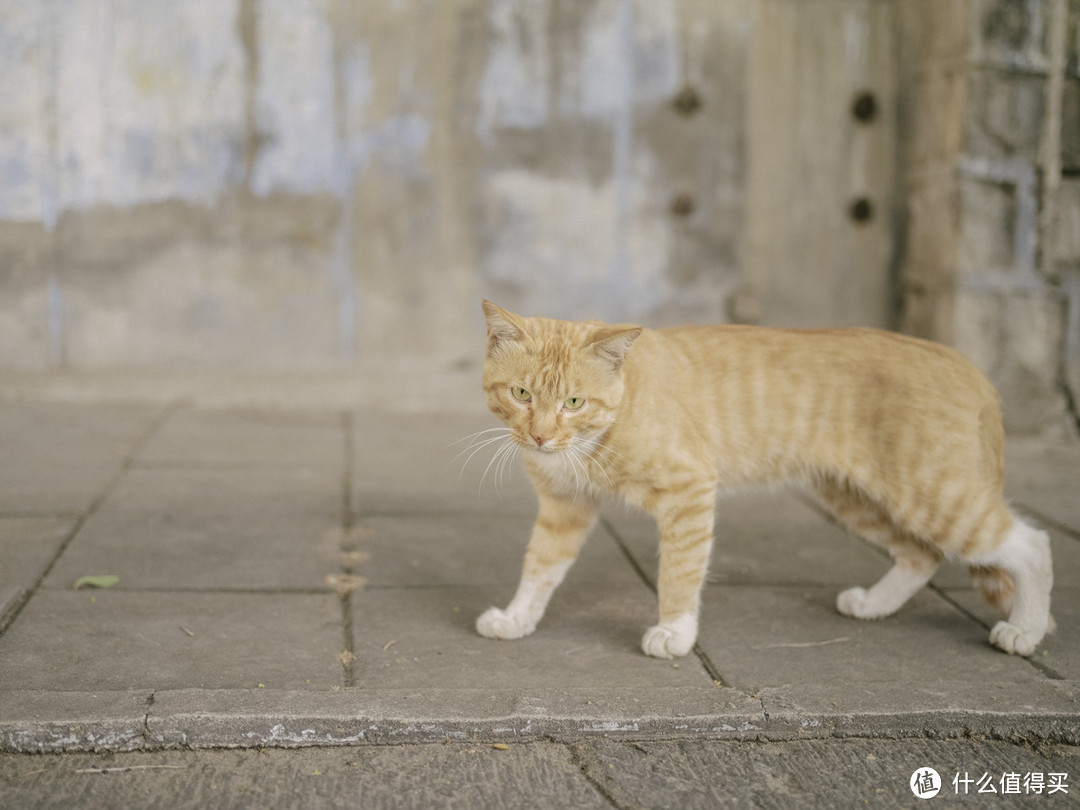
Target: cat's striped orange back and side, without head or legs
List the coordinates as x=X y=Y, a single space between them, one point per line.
x=830 y=395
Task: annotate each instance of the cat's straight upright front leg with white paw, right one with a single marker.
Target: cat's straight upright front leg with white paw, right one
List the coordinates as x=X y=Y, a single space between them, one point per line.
x=686 y=520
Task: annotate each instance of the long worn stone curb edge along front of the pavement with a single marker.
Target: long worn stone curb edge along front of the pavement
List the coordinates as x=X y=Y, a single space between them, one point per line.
x=196 y=719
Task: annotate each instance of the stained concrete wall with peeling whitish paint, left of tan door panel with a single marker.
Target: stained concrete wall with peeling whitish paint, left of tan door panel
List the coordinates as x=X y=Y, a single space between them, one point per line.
x=303 y=183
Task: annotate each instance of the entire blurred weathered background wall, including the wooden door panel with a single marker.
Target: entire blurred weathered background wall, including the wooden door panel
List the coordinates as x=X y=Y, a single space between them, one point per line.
x=312 y=184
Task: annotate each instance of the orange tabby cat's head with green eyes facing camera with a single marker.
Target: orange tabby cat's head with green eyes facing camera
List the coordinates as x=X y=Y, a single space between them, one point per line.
x=556 y=384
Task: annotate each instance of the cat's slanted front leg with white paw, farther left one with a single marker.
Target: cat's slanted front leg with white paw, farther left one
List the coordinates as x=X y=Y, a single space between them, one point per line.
x=561 y=530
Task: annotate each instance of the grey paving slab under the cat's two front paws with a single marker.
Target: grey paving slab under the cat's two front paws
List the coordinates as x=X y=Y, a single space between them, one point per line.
x=410 y=639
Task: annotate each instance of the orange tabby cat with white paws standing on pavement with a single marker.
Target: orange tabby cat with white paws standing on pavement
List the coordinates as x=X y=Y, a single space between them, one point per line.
x=900 y=439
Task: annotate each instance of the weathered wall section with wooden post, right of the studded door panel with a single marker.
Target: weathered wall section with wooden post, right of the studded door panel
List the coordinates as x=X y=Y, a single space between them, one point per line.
x=993 y=127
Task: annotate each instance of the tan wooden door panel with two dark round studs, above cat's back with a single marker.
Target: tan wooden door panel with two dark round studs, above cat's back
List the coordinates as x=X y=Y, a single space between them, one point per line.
x=822 y=155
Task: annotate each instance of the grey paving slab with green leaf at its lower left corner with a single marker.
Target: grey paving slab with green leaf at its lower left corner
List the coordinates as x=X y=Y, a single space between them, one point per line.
x=212 y=529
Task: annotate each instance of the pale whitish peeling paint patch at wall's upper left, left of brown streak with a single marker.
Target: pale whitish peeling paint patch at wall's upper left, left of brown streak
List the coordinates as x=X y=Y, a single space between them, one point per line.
x=146 y=100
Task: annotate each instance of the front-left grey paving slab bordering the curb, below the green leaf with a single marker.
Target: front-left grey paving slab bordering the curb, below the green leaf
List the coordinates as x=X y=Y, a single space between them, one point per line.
x=89 y=641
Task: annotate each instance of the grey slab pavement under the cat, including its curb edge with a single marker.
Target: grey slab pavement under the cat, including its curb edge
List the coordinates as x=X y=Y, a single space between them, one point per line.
x=298 y=578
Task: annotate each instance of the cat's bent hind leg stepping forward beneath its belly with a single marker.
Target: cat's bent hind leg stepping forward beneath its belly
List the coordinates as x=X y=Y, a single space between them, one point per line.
x=914 y=561
